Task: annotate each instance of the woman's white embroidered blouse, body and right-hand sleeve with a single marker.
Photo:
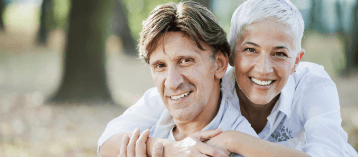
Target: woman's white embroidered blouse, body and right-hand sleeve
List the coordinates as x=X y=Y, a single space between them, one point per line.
x=307 y=114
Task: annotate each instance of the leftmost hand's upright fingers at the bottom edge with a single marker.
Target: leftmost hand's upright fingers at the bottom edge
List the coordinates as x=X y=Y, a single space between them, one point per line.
x=136 y=145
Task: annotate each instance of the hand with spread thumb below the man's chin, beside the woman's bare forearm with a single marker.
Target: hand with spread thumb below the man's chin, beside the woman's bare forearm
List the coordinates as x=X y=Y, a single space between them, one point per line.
x=194 y=146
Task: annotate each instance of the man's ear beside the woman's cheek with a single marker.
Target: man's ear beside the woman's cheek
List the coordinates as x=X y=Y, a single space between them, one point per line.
x=221 y=62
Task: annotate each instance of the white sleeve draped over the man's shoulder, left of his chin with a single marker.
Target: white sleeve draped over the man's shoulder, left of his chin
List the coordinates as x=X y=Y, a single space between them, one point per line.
x=143 y=115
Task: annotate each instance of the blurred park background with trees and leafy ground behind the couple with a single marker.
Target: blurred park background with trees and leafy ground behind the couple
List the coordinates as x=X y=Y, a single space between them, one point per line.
x=40 y=115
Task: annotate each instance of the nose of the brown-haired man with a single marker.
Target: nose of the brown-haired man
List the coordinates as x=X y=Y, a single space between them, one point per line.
x=174 y=78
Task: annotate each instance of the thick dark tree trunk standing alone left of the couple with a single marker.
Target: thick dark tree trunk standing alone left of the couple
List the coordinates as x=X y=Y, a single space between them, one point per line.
x=84 y=78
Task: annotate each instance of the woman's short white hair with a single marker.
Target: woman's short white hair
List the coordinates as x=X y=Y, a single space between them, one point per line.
x=257 y=10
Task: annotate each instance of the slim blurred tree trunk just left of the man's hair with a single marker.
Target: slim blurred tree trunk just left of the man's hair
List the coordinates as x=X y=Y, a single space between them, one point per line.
x=122 y=30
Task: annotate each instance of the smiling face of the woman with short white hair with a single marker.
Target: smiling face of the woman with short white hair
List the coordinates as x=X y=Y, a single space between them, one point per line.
x=264 y=57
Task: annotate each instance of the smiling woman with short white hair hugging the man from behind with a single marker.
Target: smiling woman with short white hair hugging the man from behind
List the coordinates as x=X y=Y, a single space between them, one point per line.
x=289 y=104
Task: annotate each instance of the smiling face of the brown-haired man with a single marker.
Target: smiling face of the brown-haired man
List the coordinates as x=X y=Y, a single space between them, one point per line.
x=184 y=75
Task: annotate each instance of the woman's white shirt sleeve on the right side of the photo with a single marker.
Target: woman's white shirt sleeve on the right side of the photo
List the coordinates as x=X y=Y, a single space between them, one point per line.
x=320 y=116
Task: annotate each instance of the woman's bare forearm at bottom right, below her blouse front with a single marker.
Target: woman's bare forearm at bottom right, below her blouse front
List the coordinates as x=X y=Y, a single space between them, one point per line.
x=247 y=145
